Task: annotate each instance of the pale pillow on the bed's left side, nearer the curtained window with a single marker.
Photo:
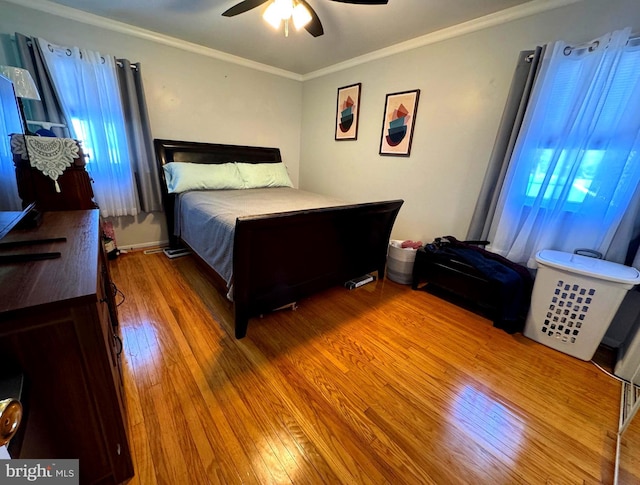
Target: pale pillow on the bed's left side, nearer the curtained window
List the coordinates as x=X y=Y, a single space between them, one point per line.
x=182 y=176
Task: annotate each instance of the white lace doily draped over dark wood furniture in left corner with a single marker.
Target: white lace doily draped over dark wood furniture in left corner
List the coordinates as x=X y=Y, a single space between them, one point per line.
x=51 y=156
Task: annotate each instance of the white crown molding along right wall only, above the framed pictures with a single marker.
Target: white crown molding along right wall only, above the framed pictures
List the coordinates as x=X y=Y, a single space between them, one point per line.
x=491 y=20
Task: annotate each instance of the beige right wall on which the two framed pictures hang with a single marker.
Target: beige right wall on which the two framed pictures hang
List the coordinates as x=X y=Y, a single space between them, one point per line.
x=464 y=83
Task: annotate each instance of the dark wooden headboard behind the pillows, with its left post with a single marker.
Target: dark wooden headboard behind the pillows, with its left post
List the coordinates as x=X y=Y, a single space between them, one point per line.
x=168 y=151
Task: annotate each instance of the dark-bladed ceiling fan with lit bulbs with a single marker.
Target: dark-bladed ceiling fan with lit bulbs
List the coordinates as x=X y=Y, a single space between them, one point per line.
x=308 y=19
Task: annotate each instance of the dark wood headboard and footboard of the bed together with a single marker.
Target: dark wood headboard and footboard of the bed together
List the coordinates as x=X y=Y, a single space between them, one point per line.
x=281 y=258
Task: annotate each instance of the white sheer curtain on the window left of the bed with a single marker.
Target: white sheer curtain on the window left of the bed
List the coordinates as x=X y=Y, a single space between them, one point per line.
x=87 y=85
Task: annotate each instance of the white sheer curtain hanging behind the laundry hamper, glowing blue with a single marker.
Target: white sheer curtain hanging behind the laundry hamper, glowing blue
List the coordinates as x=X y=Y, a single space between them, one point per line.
x=576 y=163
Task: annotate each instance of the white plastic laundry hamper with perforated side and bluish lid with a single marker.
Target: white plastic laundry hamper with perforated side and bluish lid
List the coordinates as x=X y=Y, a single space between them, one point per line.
x=574 y=300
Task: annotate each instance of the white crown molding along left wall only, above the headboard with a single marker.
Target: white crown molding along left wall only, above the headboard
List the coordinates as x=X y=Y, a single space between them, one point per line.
x=123 y=28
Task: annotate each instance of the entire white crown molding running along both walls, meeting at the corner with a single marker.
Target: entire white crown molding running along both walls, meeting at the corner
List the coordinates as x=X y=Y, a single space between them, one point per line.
x=491 y=20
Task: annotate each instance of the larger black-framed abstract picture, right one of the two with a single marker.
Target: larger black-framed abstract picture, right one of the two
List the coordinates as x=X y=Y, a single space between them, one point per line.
x=400 y=111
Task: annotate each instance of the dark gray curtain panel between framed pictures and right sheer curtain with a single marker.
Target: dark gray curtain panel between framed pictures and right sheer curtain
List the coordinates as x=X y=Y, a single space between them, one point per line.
x=512 y=116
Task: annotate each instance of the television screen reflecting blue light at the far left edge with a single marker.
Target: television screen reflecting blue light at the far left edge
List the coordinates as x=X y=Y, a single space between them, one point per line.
x=10 y=123
